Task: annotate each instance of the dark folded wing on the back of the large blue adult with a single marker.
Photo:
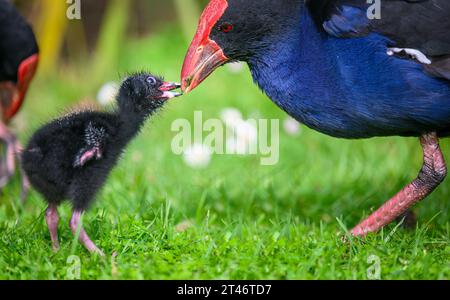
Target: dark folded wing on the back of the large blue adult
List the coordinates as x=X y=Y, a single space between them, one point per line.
x=415 y=25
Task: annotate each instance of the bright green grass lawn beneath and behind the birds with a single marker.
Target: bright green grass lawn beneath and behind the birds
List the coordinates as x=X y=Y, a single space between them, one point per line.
x=235 y=219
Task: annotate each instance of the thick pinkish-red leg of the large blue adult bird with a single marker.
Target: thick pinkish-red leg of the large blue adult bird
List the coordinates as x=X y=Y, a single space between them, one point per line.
x=431 y=175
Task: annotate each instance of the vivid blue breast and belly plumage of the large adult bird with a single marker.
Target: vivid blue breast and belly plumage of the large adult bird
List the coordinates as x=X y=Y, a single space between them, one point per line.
x=350 y=88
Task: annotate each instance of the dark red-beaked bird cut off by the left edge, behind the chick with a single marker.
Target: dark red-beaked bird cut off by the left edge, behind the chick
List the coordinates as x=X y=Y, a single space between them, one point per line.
x=18 y=63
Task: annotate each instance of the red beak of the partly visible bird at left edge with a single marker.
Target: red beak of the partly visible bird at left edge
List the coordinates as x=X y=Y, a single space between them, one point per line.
x=26 y=72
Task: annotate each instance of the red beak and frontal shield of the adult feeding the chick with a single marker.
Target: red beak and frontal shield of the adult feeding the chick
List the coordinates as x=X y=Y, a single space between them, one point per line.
x=204 y=55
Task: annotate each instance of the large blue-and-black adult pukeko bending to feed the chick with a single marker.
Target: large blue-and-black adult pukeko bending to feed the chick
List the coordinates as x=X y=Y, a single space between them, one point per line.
x=345 y=68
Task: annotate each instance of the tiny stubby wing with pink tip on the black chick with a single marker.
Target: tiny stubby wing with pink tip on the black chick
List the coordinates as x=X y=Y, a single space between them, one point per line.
x=94 y=137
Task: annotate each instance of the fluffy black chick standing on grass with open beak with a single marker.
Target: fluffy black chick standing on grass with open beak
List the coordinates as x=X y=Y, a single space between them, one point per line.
x=71 y=157
